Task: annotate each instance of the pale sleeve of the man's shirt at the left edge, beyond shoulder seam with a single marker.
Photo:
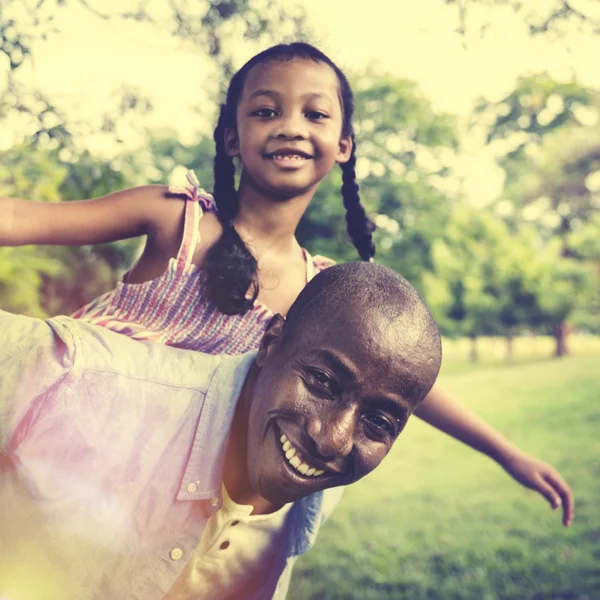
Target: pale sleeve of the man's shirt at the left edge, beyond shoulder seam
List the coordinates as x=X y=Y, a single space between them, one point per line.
x=33 y=362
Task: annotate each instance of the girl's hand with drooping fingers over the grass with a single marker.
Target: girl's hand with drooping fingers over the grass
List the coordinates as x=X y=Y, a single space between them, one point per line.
x=543 y=478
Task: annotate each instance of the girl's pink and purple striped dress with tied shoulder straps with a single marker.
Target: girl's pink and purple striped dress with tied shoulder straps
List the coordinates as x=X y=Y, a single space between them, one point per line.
x=172 y=309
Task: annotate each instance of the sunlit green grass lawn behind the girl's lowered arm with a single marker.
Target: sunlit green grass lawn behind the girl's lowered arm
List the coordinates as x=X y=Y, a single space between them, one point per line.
x=438 y=521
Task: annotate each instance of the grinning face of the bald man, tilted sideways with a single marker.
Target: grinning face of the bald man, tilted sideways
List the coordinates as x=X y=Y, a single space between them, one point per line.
x=327 y=404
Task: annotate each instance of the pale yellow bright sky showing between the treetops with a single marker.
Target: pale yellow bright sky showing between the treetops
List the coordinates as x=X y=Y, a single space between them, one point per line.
x=89 y=59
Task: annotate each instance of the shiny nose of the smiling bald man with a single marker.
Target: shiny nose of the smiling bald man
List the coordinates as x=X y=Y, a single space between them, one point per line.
x=333 y=431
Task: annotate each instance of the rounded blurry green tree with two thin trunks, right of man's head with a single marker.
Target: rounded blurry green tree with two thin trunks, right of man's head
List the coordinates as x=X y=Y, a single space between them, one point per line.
x=483 y=280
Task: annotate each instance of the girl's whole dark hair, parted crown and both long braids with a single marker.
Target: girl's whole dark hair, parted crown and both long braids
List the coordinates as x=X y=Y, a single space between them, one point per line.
x=231 y=269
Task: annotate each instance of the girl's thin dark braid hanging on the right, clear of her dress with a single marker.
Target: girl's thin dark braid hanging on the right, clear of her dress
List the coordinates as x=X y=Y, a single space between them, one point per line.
x=360 y=227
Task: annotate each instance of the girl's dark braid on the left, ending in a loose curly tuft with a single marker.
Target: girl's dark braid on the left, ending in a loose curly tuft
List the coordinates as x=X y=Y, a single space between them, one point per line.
x=230 y=268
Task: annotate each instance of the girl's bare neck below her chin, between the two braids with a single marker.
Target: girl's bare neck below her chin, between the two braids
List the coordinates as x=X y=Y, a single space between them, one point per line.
x=270 y=224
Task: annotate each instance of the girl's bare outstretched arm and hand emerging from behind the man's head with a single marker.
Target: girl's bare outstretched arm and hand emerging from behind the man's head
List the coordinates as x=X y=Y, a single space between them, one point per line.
x=443 y=412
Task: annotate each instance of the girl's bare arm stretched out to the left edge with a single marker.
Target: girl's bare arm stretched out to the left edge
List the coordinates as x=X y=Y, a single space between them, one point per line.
x=120 y=215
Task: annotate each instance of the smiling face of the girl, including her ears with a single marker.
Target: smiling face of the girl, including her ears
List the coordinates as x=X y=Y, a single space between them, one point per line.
x=289 y=125
